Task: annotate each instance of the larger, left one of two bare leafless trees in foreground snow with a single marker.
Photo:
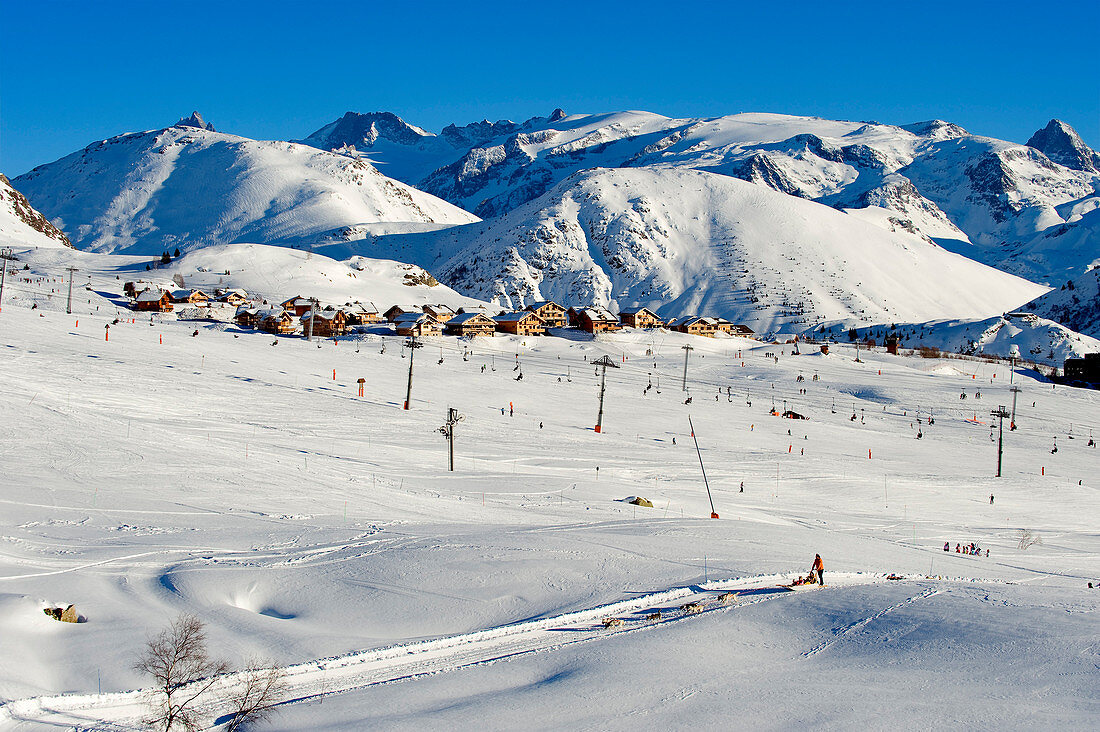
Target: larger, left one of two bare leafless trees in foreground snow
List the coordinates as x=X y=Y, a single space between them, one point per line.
x=183 y=670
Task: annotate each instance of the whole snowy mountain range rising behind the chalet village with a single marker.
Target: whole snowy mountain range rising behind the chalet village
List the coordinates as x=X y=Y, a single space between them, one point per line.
x=776 y=221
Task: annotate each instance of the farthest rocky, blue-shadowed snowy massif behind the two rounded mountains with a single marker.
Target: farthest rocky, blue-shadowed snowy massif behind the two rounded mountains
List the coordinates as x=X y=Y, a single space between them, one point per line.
x=991 y=200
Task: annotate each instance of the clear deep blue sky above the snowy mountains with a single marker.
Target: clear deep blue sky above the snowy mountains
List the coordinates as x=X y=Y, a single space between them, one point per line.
x=73 y=73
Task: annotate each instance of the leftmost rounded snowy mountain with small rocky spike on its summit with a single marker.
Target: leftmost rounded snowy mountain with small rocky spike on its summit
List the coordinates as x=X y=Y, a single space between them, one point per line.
x=189 y=187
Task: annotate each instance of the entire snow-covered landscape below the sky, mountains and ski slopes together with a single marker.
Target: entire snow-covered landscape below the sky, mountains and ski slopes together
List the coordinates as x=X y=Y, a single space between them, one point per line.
x=641 y=576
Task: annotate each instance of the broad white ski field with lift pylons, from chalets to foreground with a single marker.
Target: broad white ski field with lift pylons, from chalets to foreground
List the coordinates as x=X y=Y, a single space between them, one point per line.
x=158 y=473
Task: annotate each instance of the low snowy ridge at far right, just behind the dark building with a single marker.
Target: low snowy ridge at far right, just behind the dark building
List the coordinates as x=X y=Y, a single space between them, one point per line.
x=1033 y=338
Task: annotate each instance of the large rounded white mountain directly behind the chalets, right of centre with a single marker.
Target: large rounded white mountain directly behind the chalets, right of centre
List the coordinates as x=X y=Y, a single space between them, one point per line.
x=684 y=242
